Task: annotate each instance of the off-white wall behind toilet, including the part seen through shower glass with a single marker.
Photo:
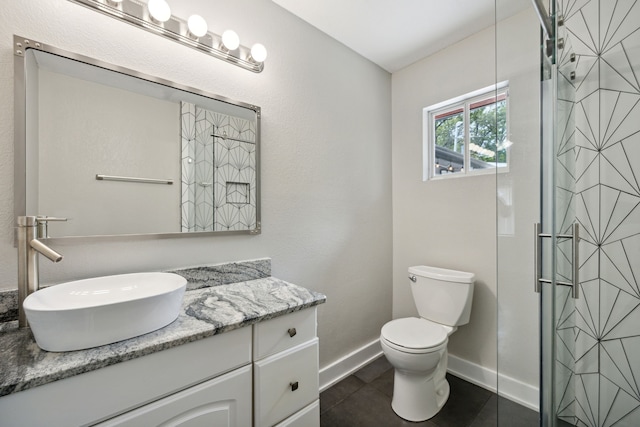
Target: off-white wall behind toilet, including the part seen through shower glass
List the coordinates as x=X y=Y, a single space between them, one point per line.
x=451 y=223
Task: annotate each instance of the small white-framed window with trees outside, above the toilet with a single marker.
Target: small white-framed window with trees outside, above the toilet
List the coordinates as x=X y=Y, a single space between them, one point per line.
x=467 y=135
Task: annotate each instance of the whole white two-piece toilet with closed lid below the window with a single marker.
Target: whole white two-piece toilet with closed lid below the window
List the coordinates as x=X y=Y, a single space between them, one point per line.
x=417 y=347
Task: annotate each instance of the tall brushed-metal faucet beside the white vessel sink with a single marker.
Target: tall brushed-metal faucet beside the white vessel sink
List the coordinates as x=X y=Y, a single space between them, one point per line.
x=30 y=228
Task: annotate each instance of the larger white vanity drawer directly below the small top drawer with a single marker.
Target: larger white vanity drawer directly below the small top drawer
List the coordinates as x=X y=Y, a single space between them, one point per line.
x=284 y=383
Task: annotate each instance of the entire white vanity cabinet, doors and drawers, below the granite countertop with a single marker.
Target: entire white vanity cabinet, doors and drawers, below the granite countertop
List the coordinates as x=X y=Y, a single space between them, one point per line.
x=261 y=375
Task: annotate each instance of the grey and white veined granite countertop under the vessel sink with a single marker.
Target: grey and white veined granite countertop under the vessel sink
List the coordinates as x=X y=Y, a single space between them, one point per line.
x=208 y=309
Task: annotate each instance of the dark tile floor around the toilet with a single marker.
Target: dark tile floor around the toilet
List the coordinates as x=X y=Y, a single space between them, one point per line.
x=364 y=400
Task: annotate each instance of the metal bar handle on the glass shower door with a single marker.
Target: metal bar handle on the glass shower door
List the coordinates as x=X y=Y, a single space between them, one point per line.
x=575 y=267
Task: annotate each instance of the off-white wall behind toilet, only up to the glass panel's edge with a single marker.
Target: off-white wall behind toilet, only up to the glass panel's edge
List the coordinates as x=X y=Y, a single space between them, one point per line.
x=448 y=223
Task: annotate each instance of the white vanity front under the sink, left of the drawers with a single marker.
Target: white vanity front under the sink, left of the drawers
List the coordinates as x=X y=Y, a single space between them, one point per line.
x=160 y=386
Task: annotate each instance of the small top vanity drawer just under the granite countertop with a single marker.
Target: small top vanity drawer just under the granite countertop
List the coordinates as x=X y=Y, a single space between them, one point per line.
x=283 y=332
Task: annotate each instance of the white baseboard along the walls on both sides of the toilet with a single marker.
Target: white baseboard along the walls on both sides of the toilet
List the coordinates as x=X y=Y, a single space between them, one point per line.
x=510 y=388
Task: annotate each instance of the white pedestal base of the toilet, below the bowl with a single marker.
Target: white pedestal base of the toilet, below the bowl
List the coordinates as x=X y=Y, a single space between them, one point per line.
x=418 y=398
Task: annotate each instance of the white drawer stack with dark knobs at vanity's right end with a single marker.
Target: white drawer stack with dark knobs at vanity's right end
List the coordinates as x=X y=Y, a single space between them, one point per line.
x=285 y=371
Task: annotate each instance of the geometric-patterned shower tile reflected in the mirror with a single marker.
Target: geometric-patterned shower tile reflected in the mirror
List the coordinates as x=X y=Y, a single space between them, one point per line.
x=218 y=173
